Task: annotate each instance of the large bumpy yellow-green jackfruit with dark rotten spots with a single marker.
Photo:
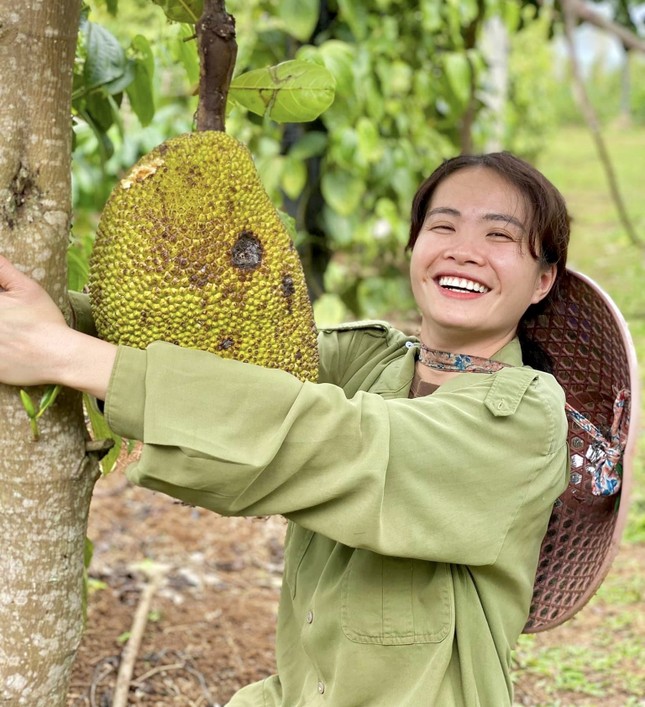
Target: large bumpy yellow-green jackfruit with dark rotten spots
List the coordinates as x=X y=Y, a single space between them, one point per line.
x=190 y=250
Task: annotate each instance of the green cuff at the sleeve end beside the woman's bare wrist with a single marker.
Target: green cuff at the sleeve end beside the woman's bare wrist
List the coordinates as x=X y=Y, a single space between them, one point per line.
x=125 y=399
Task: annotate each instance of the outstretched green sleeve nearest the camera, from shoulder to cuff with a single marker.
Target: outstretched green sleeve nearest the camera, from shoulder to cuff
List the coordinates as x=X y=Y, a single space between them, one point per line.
x=439 y=478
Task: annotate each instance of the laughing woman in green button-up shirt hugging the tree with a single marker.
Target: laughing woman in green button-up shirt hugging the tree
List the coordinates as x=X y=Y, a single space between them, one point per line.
x=417 y=495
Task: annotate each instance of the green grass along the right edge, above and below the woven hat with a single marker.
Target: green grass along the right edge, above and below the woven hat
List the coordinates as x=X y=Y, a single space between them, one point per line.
x=597 y=657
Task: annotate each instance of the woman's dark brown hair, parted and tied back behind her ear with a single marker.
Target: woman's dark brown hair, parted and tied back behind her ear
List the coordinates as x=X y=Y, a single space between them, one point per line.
x=549 y=222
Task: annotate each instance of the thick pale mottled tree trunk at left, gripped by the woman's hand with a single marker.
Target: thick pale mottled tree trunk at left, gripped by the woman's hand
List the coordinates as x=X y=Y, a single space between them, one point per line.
x=45 y=486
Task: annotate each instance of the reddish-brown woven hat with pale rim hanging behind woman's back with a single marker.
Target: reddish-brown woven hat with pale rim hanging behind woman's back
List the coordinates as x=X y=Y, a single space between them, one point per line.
x=593 y=360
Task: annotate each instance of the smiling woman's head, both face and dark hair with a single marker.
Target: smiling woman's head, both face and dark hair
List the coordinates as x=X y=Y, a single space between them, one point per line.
x=489 y=237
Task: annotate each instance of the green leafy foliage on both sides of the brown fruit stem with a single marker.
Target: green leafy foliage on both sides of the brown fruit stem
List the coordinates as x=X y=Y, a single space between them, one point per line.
x=391 y=83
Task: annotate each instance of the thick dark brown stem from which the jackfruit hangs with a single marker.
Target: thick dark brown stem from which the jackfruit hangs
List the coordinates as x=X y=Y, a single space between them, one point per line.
x=217 y=49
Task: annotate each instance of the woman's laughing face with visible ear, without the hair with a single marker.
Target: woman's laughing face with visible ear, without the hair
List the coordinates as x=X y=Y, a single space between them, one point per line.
x=472 y=273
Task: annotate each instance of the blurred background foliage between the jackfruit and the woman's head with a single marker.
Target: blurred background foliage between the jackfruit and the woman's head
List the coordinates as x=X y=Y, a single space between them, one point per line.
x=406 y=75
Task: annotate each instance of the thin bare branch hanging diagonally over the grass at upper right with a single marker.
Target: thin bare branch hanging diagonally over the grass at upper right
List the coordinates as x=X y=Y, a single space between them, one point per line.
x=569 y=11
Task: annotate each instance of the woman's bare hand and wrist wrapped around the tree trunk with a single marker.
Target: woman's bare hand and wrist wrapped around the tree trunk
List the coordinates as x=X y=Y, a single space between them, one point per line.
x=37 y=346
